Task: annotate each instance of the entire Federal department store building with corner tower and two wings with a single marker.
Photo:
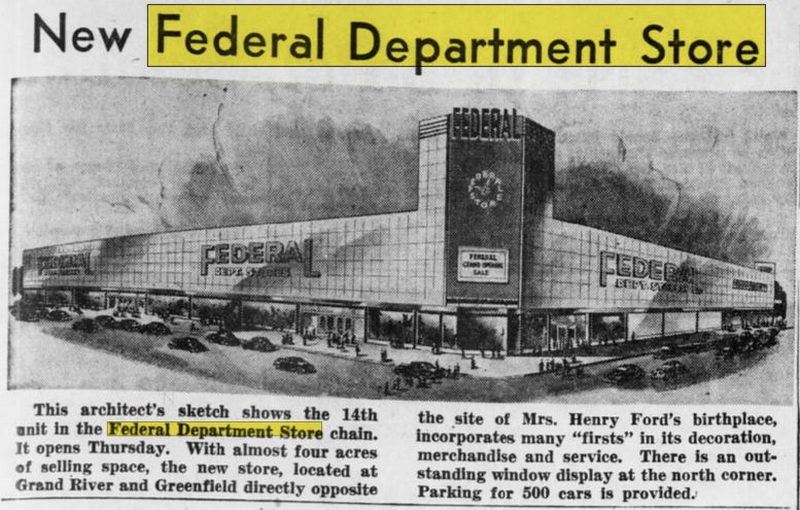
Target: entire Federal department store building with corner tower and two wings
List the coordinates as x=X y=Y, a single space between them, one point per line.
x=479 y=263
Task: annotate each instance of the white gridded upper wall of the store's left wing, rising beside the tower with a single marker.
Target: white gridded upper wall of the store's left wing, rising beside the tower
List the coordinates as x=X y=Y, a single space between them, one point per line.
x=384 y=258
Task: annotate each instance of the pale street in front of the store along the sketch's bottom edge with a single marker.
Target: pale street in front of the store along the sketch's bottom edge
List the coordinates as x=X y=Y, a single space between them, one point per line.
x=52 y=355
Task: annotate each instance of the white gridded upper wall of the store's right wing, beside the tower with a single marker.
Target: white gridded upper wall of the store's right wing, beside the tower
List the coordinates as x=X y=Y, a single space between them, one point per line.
x=563 y=270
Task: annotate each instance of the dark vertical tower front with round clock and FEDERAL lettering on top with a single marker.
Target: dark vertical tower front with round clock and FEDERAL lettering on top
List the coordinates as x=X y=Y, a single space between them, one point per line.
x=484 y=196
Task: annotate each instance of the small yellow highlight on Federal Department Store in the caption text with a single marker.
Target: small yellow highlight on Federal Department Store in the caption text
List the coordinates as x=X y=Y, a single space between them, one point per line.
x=204 y=429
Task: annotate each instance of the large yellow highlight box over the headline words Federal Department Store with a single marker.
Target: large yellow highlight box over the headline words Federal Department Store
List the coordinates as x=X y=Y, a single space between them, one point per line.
x=456 y=35
